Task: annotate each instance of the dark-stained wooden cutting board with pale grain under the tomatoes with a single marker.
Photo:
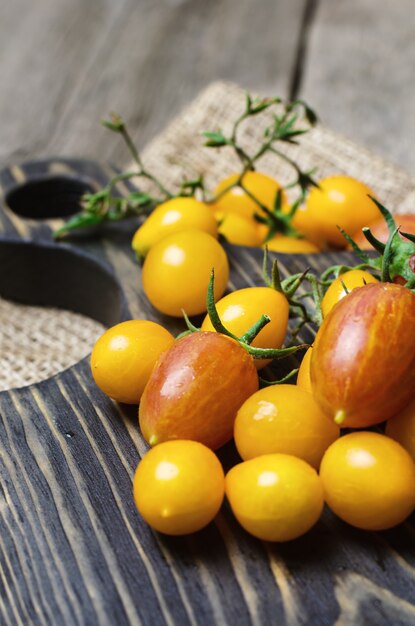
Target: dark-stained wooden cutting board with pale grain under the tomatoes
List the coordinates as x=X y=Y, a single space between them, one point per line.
x=73 y=549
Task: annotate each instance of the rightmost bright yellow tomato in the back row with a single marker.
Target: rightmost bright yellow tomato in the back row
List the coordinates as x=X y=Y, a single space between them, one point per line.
x=340 y=201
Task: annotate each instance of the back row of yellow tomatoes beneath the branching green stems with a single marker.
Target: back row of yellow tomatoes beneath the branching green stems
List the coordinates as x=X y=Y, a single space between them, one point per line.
x=232 y=214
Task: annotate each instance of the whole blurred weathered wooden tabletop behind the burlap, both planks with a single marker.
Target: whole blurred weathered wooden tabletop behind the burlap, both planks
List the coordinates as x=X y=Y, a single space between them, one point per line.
x=65 y=64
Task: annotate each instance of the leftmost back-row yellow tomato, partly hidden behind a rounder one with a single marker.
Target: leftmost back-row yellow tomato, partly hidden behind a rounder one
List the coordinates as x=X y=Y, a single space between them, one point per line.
x=173 y=216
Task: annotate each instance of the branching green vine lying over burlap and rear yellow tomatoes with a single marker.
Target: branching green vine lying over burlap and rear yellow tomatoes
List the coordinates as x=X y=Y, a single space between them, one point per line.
x=108 y=205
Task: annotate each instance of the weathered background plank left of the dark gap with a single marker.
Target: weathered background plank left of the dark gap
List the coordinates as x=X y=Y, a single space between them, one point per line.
x=66 y=63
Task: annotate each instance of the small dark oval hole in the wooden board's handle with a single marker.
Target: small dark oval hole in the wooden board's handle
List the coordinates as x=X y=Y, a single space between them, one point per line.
x=48 y=197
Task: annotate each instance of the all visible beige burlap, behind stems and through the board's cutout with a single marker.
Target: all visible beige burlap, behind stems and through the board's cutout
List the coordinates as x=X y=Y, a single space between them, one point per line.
x=37 y=343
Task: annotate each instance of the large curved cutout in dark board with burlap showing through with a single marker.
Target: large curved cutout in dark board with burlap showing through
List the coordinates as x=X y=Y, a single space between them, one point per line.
x=54 y=304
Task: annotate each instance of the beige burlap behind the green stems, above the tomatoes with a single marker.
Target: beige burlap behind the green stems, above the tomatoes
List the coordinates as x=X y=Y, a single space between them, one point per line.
x=178 y=151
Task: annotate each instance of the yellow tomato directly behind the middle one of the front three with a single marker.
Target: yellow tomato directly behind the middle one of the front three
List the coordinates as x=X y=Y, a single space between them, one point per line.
x=284 y=419
